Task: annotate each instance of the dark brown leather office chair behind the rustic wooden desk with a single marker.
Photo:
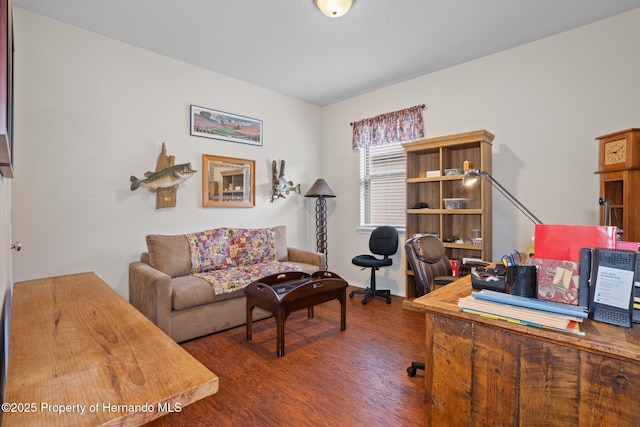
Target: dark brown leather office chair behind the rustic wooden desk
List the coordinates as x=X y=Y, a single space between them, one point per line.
x=431 y=267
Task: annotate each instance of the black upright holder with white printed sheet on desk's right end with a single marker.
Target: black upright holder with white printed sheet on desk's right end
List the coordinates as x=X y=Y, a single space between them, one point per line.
x=612 y=280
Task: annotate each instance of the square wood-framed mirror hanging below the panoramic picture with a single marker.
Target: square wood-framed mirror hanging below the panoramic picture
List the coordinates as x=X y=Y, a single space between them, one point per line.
x=228 y=182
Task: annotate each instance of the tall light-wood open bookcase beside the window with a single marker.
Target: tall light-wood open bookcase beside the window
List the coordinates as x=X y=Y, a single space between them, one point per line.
x=436 y=155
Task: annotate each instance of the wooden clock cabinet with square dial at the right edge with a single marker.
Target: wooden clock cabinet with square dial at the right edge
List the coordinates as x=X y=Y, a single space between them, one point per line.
x=619 y=170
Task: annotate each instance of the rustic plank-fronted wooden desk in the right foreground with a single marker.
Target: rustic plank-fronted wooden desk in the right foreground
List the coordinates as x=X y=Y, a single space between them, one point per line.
x=482 y=372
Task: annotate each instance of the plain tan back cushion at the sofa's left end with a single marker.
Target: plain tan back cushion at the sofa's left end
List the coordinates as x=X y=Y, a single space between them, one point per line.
x=169 y=254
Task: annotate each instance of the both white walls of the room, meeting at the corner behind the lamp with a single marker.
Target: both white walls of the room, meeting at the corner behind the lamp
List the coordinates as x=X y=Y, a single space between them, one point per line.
x=90 y=111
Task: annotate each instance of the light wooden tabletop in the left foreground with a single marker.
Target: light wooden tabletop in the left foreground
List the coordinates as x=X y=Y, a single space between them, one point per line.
x=80 y=355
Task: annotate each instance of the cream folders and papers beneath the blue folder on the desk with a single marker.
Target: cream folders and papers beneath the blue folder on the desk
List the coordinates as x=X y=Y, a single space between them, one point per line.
x=521 y=315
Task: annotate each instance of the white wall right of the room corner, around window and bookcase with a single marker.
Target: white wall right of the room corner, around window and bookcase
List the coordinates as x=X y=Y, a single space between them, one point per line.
x=545 y=102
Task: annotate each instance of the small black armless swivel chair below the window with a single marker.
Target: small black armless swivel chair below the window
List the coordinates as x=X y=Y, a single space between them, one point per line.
x=383 y=241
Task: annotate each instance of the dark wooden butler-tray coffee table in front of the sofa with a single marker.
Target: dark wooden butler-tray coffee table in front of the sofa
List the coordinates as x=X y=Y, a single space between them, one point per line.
x=283 y=293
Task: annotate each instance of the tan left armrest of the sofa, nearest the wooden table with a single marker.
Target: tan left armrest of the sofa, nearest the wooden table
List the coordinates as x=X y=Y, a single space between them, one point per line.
x=150 y=293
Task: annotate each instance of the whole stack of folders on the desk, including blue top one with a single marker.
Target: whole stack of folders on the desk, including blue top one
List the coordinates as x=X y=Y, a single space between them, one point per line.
x=524 y=311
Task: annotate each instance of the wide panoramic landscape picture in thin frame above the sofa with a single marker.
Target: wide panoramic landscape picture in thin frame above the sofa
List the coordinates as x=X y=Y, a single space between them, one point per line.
x=214 y=124
